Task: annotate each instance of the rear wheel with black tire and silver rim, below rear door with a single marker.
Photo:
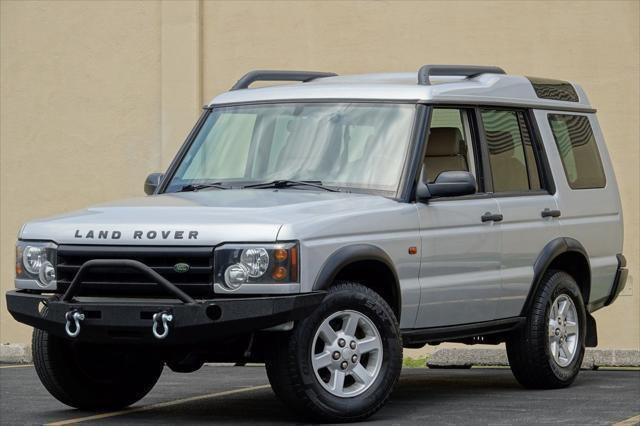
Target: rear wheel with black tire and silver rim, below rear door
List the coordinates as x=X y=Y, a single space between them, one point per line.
x=547 y=353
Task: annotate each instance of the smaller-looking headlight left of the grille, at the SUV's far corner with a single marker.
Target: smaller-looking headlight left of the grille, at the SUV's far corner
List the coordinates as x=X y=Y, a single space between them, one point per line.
x=36 y=261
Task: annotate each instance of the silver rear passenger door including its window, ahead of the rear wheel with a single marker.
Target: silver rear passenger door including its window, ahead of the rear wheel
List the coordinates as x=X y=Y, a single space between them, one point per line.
x=523 y=190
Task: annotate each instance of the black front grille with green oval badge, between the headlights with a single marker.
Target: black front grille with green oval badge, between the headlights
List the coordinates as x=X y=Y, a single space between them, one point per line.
x=197 y=281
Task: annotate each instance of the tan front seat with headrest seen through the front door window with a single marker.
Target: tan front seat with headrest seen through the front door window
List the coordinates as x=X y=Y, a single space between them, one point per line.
x=446 y=151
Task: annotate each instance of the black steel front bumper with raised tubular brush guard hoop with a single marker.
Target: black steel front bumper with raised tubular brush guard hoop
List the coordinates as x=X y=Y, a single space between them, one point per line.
x=182 y=320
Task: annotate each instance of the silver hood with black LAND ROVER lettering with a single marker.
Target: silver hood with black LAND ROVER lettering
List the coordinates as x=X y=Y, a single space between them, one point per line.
x=207 y=217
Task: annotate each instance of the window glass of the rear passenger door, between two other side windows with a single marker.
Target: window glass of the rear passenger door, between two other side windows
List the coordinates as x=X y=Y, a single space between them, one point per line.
x=511 y=155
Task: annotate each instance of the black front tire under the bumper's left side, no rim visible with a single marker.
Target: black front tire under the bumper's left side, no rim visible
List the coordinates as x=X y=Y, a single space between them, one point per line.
x=92 y=377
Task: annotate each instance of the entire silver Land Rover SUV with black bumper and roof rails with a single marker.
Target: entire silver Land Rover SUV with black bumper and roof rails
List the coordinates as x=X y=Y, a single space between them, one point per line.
x=322 y=226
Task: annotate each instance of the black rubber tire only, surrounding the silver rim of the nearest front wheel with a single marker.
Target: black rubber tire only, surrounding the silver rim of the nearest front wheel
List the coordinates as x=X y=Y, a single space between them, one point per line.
x=290 y=370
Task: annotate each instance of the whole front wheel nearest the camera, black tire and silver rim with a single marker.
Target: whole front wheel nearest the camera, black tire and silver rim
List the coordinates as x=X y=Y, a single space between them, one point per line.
x=342 y=362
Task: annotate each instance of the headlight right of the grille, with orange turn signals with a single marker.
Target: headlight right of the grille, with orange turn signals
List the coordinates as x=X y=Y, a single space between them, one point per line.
x=239 y=264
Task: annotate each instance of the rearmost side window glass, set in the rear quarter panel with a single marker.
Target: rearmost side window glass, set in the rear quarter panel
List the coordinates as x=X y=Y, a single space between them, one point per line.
x=578 y=151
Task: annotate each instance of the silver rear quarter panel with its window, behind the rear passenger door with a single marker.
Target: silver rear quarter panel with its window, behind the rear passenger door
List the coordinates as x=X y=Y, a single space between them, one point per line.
x=589 y=200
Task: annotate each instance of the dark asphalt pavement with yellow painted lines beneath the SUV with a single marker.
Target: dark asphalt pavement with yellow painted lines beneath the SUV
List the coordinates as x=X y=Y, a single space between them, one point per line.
x=237 y=395
